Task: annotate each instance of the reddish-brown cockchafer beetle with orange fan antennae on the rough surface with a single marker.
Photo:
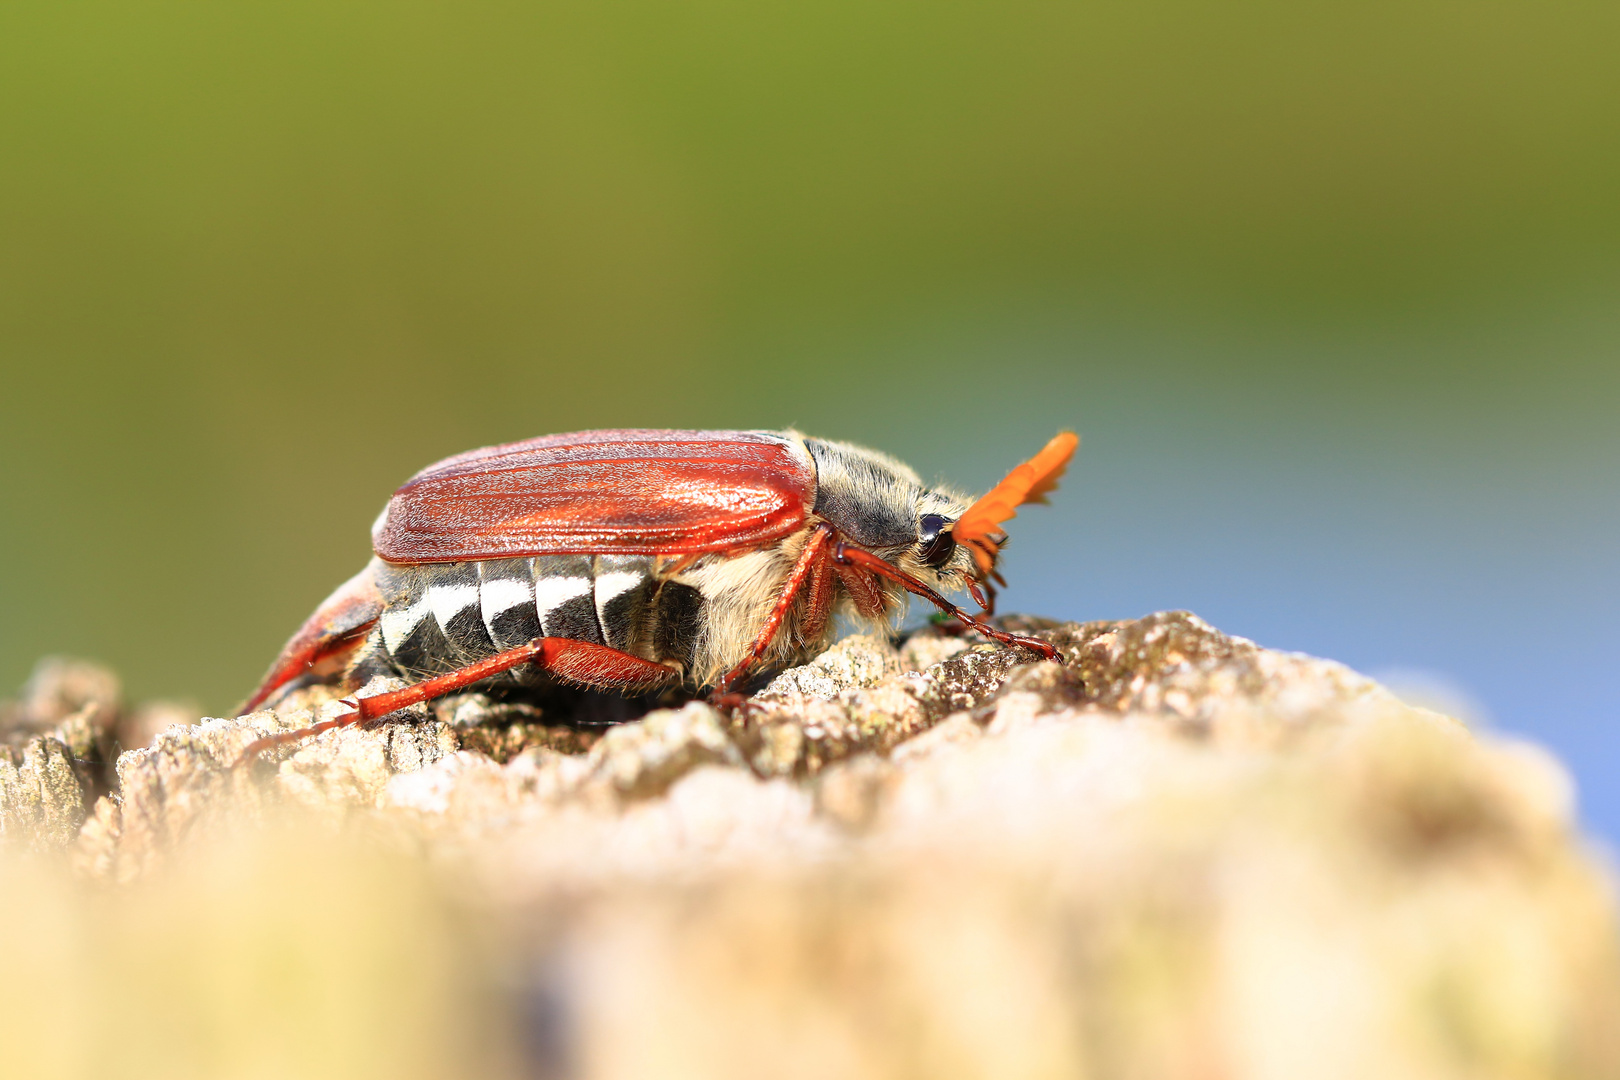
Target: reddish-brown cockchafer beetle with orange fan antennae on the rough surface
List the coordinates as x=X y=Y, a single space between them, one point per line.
x=636 y=561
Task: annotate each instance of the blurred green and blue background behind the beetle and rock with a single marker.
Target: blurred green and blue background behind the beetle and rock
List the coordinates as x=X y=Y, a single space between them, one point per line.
x=1329 y=289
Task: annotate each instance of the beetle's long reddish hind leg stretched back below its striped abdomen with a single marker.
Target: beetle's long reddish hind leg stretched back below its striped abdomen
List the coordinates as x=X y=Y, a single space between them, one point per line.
x=565 y=658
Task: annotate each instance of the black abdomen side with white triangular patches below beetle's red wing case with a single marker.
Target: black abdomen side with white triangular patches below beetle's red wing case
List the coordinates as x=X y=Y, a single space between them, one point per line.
x=443 y=616
